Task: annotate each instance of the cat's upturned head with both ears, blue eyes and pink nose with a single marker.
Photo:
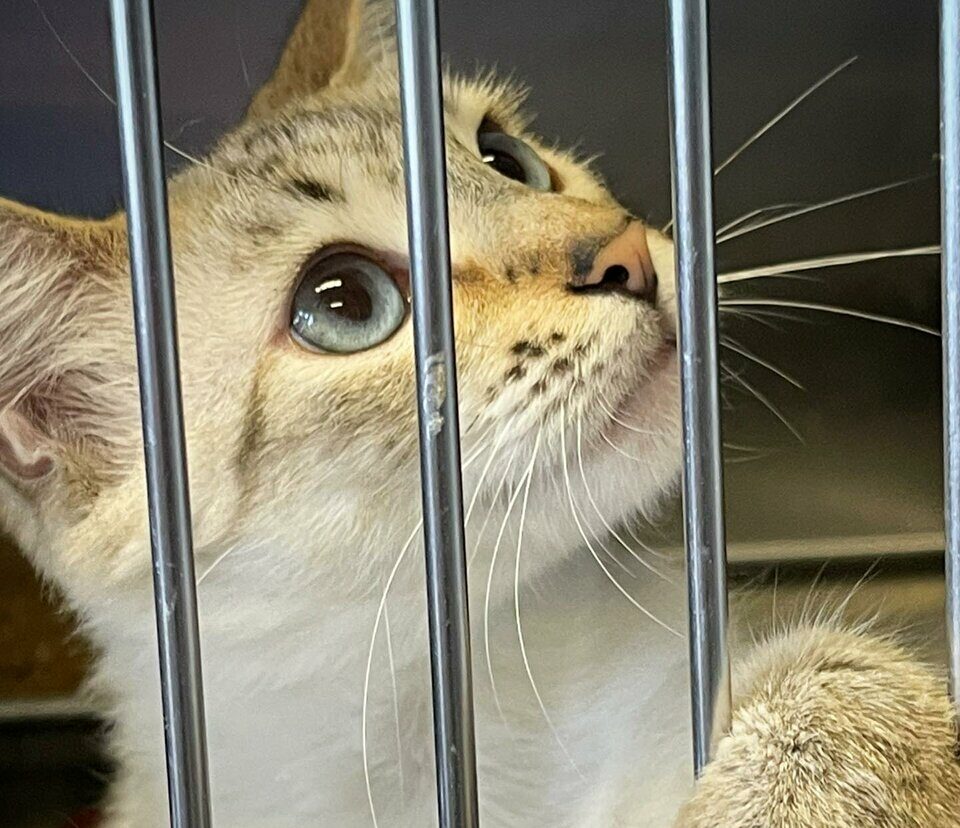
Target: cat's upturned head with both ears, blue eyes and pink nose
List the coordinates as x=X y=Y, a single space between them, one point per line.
x=293 y=297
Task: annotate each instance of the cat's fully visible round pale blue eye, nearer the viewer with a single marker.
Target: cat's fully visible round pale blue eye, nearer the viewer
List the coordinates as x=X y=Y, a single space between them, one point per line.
x=345 y=302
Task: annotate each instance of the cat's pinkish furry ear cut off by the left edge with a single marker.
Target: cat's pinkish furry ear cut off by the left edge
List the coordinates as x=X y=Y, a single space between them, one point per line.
x=60 y=294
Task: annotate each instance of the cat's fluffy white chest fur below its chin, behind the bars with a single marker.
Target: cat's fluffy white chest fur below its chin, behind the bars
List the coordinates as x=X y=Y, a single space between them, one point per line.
x=286 y=678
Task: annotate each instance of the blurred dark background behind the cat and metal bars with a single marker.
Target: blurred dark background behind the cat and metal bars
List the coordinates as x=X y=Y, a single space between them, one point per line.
x=857 y=473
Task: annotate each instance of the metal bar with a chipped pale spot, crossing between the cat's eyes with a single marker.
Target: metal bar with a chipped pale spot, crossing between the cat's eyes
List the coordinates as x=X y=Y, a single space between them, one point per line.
x=425 y=168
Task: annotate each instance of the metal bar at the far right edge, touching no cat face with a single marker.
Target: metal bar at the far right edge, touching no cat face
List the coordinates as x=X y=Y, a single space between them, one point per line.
x=950 y=325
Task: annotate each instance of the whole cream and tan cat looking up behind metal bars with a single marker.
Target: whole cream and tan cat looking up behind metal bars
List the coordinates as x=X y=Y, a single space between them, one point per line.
x=293 y=294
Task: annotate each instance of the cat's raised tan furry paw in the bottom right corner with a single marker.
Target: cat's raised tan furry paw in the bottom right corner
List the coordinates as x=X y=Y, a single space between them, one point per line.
x=833 y=729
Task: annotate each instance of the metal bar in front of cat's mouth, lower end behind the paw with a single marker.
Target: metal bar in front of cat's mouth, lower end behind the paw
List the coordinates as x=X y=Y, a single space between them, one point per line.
x=697 y=304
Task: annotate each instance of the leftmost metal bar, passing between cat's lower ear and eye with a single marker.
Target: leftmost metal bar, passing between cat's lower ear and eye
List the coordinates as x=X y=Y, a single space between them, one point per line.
x=168 y=497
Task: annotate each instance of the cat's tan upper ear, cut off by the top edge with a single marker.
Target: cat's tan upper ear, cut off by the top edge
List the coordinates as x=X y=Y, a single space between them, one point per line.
x=334 y=43
